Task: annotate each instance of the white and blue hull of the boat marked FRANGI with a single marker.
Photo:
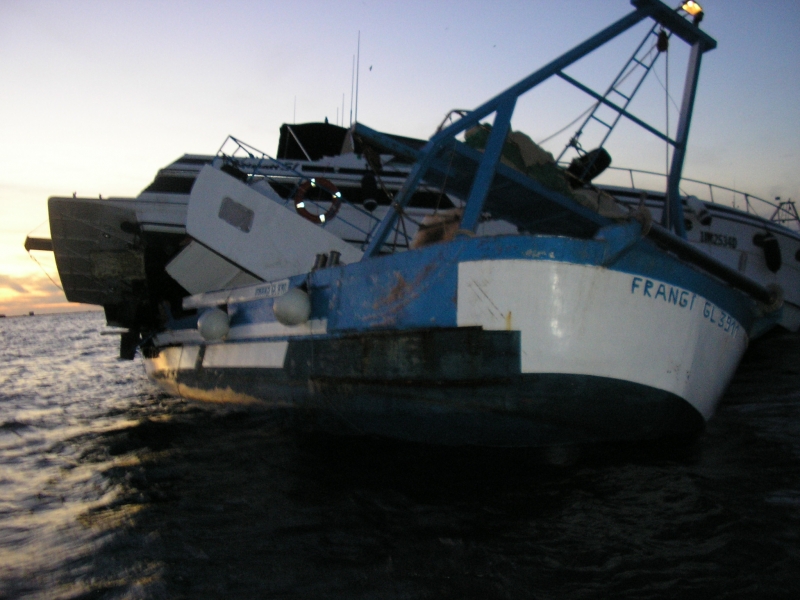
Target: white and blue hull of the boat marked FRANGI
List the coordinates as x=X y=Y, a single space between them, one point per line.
x=515 y=343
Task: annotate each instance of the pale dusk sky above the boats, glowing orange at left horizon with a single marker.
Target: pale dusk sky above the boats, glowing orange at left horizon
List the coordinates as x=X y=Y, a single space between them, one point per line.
x=96 y=96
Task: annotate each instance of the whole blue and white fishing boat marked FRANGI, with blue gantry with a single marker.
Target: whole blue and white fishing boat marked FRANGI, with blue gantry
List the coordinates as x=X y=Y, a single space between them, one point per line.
x=526 y=315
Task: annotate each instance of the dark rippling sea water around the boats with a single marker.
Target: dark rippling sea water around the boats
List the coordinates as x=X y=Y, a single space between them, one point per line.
x=111 y=489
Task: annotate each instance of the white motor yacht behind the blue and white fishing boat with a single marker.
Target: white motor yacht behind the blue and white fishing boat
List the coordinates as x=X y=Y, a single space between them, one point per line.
x=102 y=245
